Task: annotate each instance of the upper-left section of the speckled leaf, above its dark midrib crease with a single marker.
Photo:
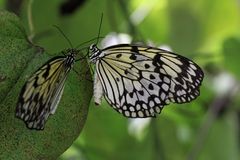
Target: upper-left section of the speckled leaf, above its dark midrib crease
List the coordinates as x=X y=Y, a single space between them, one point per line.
x=13 y=41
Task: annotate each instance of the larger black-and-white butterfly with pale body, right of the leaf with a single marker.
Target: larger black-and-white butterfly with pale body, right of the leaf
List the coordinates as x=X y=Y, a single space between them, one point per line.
x=138 y=81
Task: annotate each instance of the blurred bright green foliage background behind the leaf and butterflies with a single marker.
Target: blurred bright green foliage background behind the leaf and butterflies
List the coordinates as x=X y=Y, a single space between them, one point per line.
x=205 y=31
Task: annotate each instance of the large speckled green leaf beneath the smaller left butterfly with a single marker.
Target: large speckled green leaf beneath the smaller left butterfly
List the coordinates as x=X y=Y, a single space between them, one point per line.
x=19 y=59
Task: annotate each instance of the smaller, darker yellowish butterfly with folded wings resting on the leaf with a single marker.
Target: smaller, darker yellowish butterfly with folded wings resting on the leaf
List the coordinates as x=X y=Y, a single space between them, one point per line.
x=42 y=92
